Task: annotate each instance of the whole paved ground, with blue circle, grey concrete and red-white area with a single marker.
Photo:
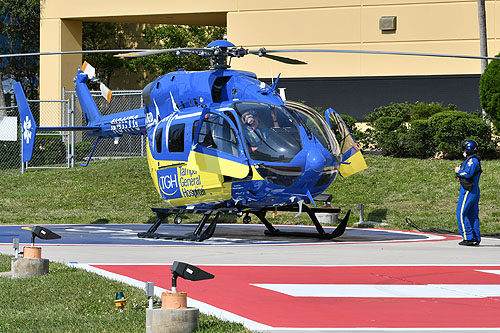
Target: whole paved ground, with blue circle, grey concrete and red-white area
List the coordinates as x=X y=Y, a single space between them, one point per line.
x=366 y=280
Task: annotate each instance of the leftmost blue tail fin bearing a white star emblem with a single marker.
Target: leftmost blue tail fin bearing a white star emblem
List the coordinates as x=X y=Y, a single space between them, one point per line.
x=28 y=124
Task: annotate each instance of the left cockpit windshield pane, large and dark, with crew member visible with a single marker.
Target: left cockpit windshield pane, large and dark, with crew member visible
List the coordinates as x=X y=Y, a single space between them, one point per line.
x=270 y=133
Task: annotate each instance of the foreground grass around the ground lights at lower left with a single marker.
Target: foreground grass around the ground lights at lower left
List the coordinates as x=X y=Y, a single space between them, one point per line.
x=73 y=300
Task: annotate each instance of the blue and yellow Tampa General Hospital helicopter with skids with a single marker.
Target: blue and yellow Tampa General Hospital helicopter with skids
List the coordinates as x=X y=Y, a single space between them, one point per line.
x=221 y=141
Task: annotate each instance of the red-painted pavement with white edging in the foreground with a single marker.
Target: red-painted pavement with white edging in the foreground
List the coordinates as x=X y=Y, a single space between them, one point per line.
x=234 y=294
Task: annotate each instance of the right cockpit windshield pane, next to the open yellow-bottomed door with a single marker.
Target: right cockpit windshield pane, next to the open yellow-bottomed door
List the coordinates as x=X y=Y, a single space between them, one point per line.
x=316 y=124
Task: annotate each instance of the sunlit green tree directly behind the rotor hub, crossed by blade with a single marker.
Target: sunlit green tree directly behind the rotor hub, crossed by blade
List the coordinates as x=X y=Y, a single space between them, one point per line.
x=172 y=36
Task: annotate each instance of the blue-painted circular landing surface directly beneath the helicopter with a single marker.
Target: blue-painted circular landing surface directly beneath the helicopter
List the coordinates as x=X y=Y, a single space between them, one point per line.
x=225 y=234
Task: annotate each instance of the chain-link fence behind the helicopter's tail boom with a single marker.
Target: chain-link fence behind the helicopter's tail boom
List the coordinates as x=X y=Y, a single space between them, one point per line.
x=63 y=149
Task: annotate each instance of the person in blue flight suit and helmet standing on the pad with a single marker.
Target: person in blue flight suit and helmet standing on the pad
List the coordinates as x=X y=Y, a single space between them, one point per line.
x=468 y=173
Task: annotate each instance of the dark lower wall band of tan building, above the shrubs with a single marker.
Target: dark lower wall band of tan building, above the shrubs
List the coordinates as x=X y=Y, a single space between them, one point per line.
x=358 y=96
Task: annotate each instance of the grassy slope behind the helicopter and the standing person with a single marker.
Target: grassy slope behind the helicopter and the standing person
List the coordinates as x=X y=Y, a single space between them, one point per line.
x=121 y=191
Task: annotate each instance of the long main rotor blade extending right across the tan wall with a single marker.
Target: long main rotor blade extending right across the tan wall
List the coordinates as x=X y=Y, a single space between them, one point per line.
x=264 y=53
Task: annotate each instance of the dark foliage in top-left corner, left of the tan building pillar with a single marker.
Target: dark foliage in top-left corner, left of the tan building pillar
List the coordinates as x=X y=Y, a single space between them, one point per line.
x=20 y=33
